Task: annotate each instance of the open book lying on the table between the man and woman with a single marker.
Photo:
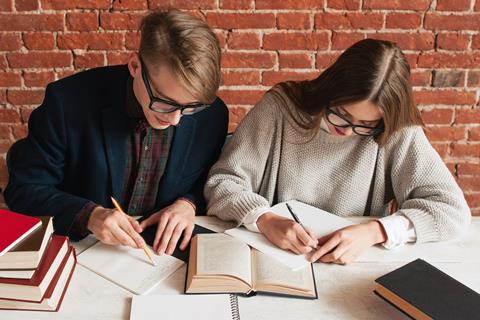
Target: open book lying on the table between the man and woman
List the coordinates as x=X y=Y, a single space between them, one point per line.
x=219 y=263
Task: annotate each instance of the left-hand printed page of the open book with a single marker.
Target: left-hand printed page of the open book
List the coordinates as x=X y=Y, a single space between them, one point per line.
x=220 y=254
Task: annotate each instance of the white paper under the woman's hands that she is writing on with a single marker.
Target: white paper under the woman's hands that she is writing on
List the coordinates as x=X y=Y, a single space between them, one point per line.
x=320 y=221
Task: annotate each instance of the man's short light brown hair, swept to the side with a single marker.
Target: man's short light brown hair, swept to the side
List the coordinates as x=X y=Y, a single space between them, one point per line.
x=187 y=45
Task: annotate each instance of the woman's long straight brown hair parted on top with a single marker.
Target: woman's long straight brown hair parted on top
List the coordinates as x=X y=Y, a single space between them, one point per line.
x=373 y=70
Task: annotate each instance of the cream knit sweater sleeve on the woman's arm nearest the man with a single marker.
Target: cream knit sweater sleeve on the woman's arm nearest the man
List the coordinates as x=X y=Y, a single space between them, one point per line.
x=232 y=189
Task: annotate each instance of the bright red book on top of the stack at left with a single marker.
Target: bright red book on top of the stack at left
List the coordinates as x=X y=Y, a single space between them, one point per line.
x=14 y=227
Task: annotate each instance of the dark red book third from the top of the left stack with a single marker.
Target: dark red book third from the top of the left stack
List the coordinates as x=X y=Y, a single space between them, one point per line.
x=34 y=289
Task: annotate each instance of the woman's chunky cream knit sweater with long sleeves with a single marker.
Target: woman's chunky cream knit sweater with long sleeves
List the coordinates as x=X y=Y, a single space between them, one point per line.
x=268 y=161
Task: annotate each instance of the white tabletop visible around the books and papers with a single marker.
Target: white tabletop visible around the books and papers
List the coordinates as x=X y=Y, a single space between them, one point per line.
x=345 y=292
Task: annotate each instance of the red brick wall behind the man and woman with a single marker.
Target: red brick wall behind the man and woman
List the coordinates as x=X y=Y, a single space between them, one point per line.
x=264 y=42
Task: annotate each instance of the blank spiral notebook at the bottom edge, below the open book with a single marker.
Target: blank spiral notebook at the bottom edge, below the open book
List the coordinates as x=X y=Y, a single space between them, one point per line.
x=183 y=307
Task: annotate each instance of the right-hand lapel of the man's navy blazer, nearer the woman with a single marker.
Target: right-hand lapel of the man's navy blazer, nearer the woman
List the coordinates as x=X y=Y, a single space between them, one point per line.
x=179 y=155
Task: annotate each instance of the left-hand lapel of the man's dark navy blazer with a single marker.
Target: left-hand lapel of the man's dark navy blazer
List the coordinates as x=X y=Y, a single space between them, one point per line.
x=116 y=131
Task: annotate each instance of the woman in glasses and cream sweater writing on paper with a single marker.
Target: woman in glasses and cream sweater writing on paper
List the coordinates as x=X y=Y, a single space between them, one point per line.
x=350 y=142
